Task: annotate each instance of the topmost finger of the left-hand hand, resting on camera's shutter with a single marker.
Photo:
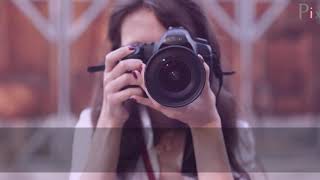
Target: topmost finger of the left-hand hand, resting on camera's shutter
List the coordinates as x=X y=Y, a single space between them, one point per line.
x=113 y=57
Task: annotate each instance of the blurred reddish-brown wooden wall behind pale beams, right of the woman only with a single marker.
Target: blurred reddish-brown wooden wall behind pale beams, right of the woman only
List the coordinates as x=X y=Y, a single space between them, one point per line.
x=285 y=64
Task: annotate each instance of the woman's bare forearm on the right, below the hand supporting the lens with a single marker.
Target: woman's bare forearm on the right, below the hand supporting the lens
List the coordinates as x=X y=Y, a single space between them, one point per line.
x=210 y=152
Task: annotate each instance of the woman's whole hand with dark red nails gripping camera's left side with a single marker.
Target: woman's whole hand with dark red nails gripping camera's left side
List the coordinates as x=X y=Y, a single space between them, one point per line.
x=118 y=75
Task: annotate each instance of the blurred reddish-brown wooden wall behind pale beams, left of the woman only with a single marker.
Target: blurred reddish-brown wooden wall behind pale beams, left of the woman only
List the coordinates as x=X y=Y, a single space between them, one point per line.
x=28 y=65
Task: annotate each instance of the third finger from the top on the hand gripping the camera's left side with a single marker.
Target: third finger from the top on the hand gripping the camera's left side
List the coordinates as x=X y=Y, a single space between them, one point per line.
x=121 y=82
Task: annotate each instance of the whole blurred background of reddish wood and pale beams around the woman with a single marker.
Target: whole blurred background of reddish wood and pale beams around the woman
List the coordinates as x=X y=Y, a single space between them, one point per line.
x=46 y=46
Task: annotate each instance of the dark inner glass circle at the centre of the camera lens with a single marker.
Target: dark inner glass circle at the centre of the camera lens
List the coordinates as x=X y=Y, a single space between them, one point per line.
x=175 y=76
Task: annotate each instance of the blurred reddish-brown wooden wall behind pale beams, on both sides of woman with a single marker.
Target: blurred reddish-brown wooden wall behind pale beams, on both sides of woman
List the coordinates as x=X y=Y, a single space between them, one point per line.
x=285 y=64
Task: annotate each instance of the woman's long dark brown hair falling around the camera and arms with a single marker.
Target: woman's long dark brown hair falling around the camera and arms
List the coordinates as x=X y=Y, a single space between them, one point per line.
x=188 y=14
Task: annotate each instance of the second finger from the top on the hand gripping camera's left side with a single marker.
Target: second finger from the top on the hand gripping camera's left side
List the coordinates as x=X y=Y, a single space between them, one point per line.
x=124 y=66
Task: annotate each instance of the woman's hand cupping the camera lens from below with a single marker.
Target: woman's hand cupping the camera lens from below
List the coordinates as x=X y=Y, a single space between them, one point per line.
x=202 y=112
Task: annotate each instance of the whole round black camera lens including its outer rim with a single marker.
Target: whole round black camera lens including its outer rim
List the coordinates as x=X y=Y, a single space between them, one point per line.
x=174 y=76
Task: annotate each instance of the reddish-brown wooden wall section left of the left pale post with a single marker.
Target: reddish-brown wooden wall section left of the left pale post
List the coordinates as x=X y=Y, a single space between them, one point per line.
x=25 y=82
